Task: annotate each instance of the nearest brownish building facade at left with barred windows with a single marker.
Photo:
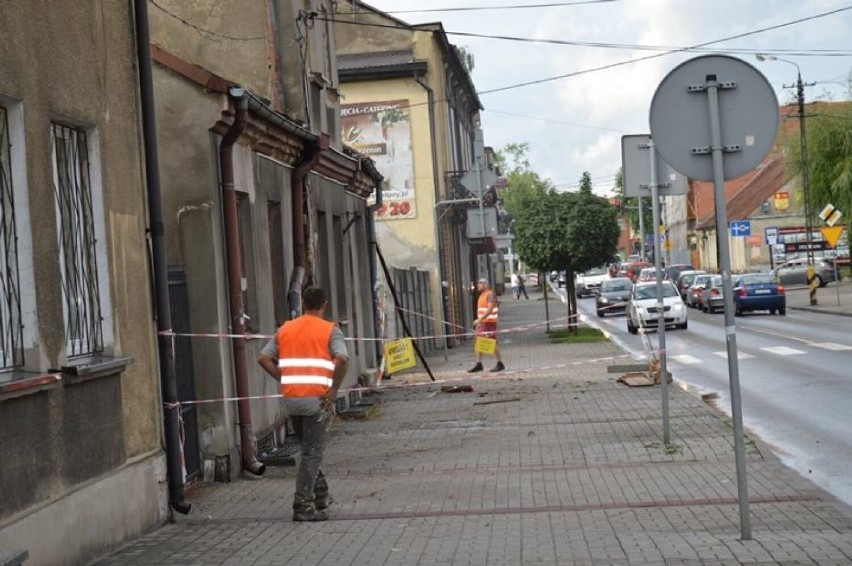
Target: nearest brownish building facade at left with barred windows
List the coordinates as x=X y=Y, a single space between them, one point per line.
x=80 y=410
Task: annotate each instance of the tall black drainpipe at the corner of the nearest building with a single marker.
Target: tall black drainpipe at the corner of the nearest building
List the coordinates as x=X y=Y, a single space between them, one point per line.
x=174 y=452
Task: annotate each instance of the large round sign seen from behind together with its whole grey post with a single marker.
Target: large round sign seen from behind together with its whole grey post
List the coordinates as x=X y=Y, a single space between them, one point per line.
x=688 y=124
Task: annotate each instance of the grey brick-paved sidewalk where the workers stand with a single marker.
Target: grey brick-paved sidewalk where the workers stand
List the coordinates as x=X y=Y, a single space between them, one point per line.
x=551 y=463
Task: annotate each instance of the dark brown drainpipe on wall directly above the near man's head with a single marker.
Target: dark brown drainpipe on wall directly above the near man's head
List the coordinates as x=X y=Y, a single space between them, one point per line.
x=310 y=157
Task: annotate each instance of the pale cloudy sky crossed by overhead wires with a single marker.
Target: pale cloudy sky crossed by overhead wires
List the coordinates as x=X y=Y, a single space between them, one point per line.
x=575 y=124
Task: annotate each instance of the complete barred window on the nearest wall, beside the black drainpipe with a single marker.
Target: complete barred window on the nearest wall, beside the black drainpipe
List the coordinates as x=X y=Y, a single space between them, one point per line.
x=72 y=188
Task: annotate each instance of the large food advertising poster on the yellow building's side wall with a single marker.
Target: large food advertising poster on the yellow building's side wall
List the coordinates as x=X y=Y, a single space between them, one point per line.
x=381 y=130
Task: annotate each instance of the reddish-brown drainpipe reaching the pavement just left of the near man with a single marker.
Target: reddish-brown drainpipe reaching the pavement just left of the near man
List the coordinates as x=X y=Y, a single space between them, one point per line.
x=232 y=244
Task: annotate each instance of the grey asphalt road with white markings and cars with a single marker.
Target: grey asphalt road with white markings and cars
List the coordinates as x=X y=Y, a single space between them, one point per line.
x=795 y=378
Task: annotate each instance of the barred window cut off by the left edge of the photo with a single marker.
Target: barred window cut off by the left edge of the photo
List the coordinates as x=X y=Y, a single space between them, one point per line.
x=11 y=326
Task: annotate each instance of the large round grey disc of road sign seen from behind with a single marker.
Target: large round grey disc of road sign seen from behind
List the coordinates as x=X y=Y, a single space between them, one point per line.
x=680 y=116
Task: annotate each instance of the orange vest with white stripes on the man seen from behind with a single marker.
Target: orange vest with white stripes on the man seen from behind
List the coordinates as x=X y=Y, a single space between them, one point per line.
x=304 y=361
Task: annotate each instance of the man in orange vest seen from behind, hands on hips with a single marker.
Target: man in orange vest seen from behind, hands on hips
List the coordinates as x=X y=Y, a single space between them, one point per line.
x=308 y=355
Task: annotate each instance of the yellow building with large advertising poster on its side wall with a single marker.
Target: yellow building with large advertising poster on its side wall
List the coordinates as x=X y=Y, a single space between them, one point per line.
x=410 y=104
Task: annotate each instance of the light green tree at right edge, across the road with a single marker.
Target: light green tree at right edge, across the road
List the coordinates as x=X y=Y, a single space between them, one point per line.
x=829 y=136
